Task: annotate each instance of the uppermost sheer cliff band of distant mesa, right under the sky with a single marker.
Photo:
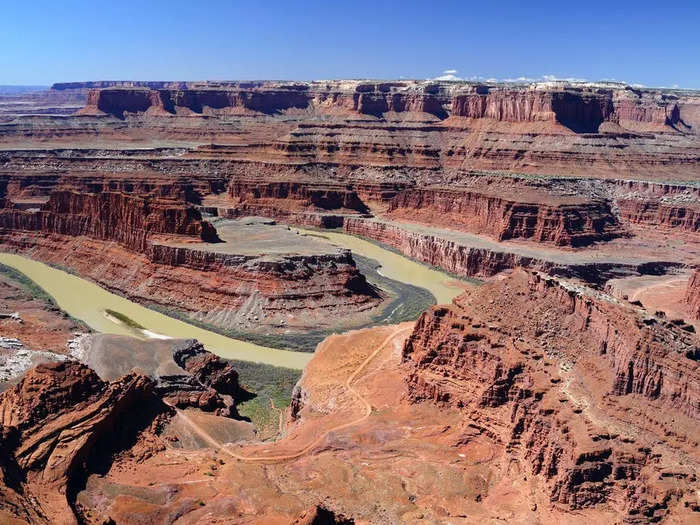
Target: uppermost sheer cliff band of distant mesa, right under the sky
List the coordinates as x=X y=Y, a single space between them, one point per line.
x=581 y=108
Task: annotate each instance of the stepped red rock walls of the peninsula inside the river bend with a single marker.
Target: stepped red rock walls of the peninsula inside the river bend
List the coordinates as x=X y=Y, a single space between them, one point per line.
x=151 y=250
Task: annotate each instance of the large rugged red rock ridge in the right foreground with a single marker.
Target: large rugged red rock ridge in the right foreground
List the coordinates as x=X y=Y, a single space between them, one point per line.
x=589 y=396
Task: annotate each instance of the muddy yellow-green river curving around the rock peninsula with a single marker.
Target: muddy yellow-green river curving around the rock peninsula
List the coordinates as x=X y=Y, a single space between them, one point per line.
x=88 y=302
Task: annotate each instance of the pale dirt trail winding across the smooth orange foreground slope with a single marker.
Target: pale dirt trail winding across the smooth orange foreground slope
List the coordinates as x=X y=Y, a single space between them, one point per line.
x=285 y=457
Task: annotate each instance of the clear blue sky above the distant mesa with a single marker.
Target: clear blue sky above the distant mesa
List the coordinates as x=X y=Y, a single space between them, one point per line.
x=652 y=43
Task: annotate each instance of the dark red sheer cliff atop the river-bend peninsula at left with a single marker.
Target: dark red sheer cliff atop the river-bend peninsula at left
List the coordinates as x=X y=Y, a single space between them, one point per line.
x=127 y=219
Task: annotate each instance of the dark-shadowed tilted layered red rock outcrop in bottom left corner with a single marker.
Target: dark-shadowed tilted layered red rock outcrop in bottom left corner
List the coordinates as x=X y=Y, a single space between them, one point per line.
x=63 y=417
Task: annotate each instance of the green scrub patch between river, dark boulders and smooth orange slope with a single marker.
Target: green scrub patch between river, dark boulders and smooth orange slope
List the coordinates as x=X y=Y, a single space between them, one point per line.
x=272 y=386
